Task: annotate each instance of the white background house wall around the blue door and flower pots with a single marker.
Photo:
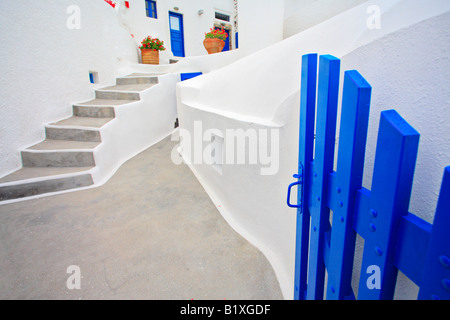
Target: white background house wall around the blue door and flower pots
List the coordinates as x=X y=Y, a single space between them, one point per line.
x=195 y=25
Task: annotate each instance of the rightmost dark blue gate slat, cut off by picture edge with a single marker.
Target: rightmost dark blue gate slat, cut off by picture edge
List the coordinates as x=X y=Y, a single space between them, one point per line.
x=436 y=274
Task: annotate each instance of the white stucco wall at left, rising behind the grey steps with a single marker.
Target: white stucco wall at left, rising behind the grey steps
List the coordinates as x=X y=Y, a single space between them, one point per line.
x=45 y=65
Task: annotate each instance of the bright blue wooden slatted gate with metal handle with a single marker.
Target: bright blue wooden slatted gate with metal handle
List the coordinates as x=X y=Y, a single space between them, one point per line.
x=332 y=206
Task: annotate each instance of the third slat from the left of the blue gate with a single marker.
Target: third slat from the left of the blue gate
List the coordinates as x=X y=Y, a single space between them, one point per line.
x=350 y=165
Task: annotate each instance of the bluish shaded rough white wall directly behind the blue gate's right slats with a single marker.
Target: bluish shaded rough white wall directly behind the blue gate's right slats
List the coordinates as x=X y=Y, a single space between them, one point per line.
x=408 y=71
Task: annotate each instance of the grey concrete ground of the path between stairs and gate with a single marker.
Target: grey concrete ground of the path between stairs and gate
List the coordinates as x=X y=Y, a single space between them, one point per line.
x=151 y=232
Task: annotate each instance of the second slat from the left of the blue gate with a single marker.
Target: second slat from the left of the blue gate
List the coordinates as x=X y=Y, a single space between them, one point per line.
x=328 y=86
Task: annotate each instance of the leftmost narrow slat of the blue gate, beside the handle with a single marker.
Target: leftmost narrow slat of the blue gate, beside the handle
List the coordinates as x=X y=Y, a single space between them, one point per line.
x=306 y=145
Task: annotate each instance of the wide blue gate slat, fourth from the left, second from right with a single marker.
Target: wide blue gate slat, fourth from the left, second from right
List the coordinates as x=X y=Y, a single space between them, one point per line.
x=395 y=160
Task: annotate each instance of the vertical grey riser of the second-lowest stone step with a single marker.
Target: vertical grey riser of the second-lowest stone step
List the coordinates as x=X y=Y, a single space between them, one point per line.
x=40 y=158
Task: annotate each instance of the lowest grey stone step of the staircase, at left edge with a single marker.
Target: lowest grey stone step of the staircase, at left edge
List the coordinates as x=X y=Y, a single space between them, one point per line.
x=28 y=182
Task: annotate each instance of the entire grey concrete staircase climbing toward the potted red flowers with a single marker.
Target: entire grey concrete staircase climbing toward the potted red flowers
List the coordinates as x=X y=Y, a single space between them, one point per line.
x=65 y=159
